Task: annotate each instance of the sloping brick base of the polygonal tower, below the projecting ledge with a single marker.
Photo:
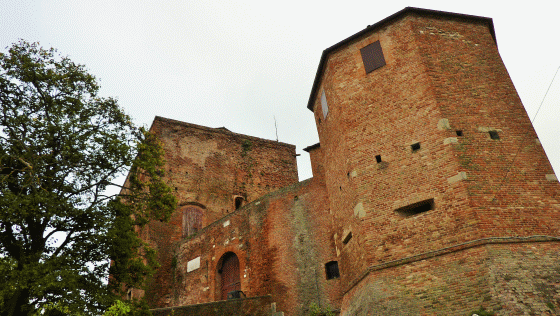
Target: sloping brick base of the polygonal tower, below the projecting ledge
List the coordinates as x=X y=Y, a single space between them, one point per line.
x=502 y=277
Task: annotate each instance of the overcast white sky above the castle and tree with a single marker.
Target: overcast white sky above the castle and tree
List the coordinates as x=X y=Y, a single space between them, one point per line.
x=240 y=64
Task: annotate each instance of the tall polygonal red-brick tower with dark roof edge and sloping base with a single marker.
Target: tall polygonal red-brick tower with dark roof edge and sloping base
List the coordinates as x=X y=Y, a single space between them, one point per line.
x=442 y=198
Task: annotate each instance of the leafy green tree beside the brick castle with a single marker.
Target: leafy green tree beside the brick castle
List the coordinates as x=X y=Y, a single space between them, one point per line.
x=61 y=147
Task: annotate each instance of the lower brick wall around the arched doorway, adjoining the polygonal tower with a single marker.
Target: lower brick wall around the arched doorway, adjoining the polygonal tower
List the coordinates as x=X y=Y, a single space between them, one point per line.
x=282 y=242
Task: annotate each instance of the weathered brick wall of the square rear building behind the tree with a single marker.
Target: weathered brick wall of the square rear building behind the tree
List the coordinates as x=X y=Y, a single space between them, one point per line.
x=208 y=167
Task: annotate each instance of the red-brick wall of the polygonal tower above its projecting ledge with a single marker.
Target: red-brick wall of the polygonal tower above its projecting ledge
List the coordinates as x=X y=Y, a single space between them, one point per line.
x=442 y=75
